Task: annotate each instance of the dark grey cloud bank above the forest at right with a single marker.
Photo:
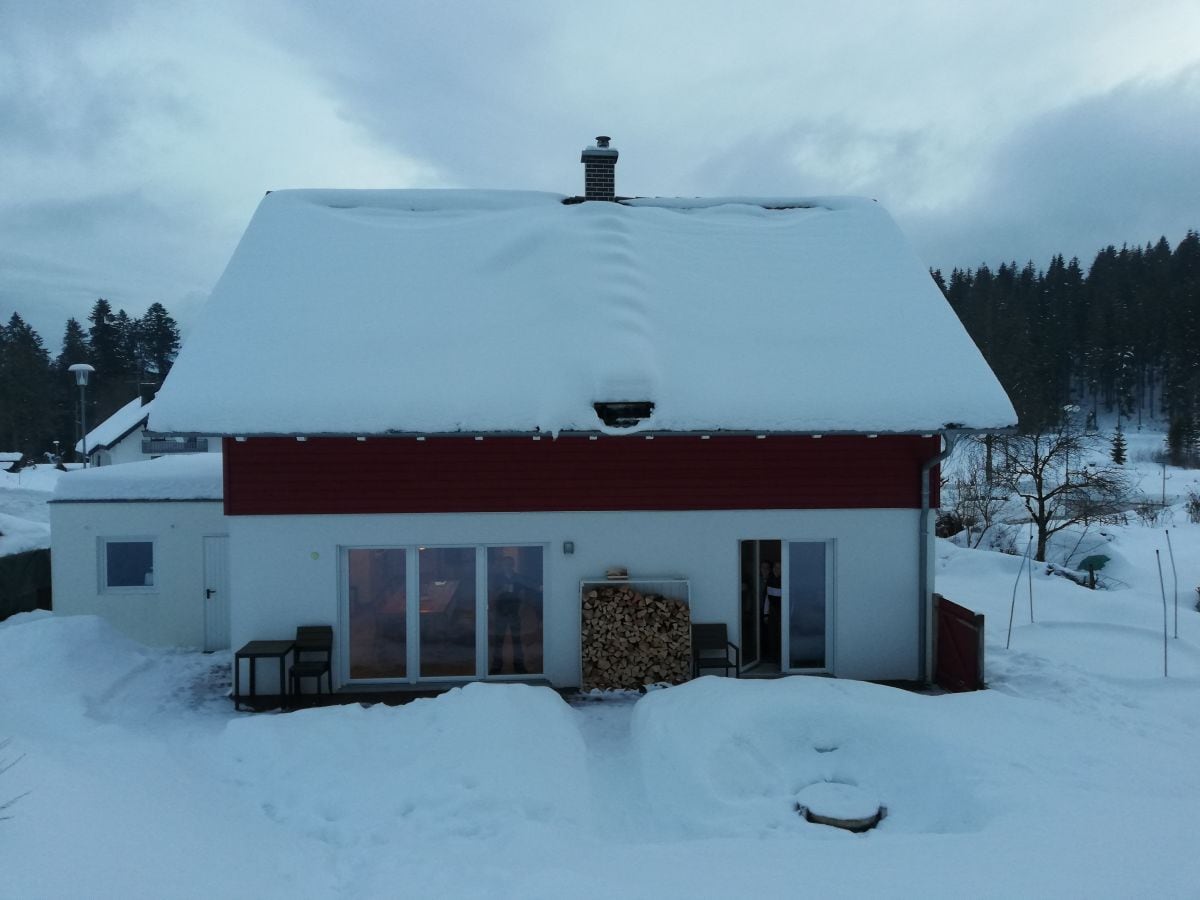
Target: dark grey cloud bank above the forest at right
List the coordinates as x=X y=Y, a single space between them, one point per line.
x=1115 y=169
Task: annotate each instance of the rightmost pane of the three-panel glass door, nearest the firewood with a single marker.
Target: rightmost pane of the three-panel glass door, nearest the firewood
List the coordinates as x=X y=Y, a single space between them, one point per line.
x=514 y=610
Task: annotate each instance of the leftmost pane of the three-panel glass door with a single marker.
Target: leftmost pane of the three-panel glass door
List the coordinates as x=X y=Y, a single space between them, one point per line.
x=379 y=608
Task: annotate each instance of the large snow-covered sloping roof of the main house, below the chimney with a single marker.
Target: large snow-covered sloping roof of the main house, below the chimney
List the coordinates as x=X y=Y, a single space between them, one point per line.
x=446 y=311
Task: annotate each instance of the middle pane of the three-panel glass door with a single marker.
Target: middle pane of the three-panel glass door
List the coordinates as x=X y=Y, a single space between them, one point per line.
x=447 y=581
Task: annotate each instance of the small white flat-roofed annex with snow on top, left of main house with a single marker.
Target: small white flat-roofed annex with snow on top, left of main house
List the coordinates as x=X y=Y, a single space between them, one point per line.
x=145 y=545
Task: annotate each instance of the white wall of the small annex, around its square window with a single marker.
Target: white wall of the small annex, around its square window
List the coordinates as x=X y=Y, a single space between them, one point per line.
x=171 y=614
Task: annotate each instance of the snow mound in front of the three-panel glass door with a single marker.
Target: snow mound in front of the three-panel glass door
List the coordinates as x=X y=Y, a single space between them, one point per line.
x=476 y=763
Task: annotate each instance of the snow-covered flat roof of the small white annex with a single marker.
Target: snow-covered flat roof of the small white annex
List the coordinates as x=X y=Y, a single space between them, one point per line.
x=184 y=477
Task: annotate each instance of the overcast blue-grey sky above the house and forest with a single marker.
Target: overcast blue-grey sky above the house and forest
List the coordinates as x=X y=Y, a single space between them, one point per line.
x=136 y=139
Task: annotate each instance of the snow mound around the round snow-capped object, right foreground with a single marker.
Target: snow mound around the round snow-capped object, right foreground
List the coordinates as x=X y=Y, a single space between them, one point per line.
x=723 y=757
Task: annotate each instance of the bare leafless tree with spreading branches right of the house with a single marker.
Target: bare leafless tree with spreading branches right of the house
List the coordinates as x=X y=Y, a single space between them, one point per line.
x=1063 y=481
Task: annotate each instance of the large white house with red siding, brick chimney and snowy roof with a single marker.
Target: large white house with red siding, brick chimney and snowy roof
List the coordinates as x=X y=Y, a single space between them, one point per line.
x=445 y=411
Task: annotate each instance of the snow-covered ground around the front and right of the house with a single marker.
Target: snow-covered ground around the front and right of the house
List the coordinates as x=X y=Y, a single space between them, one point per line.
x=1075 y=776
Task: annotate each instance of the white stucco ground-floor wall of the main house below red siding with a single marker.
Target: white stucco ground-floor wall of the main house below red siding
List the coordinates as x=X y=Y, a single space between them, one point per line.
x=287 y=571
